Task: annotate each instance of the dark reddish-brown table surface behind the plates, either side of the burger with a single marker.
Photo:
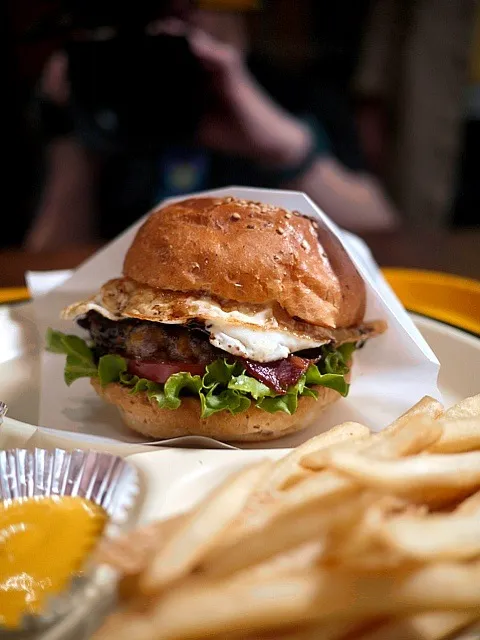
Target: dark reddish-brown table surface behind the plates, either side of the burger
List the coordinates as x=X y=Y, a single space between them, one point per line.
x=456 y=252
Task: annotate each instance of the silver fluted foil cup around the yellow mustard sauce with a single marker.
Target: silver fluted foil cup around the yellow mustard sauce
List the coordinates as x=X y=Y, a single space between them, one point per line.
x=107 y=480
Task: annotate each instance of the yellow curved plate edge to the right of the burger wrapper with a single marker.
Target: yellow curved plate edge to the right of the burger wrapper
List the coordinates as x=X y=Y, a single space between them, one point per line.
x=441 y=296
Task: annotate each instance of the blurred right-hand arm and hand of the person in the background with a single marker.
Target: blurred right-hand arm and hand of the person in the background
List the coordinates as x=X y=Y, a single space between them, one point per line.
x=251 y=124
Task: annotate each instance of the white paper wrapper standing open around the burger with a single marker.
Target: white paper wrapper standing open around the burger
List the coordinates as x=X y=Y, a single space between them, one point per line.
x=390 y=374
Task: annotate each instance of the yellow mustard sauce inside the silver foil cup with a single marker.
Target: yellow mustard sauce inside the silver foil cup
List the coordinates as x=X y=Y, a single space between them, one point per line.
x=43 y=543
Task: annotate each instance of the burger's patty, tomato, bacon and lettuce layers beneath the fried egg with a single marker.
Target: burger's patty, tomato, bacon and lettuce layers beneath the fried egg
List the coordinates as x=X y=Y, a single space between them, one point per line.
x=169 y=361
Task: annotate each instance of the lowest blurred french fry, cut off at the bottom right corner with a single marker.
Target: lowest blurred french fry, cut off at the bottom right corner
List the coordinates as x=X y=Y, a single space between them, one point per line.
x=423 y=626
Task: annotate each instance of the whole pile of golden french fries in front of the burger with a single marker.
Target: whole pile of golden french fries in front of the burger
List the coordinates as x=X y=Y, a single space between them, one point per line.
x=352 y=535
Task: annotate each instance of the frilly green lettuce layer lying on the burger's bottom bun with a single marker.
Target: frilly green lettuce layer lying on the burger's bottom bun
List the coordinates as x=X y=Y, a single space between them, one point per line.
x=223 y=387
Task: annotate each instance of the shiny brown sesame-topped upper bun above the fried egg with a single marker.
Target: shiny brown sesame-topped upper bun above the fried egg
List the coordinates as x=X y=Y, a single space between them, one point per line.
x=249 y=252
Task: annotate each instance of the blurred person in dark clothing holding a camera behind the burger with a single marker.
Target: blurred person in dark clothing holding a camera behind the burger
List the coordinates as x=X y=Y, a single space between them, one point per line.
x=161 y=102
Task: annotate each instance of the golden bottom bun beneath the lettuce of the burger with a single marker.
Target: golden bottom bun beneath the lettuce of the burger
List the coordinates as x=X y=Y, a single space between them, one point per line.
x=144 y=417
